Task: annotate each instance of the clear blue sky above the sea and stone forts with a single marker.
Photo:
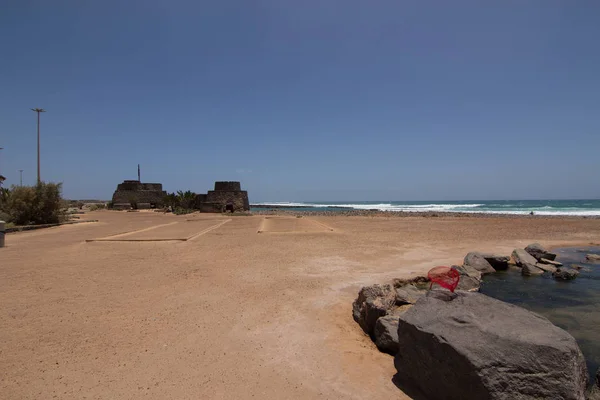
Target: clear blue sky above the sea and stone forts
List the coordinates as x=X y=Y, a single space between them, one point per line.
x=306 y=100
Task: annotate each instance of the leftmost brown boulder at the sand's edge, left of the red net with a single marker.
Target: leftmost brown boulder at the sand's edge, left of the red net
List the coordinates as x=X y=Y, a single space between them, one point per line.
x=372 y=302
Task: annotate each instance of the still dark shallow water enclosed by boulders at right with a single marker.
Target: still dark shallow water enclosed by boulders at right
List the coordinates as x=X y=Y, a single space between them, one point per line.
x=572 y=305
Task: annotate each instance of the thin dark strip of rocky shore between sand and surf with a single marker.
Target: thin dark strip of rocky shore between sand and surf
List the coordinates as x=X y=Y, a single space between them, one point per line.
x=350 y=212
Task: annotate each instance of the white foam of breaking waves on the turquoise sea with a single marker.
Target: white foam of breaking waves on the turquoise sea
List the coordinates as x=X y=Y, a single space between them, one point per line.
x=461 y=208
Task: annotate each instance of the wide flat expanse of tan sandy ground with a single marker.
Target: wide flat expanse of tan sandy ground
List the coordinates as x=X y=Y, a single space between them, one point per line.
x=159 y=306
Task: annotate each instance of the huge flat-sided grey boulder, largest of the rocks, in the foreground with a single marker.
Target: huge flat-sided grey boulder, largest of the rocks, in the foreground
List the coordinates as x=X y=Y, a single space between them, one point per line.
x=476 y=347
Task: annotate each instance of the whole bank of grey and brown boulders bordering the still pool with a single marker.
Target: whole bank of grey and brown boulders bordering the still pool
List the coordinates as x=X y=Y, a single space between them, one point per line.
x=495 y=349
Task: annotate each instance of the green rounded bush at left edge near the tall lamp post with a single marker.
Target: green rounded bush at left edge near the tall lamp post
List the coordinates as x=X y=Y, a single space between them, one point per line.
x=31 y=205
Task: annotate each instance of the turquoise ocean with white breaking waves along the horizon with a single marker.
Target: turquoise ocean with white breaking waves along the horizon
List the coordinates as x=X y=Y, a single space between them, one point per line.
x=523 y=207
